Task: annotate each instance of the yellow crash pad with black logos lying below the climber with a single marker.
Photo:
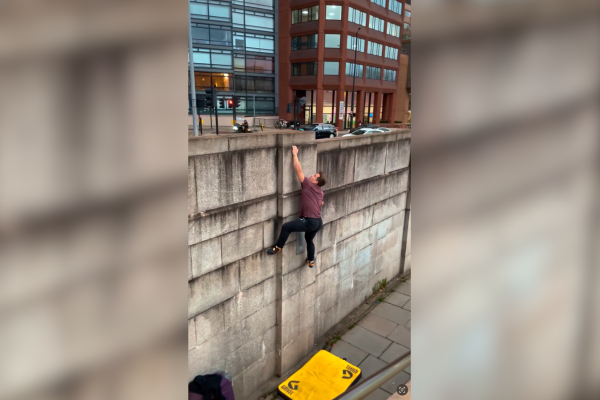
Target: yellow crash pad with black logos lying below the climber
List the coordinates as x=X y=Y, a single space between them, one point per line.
x=323 y=377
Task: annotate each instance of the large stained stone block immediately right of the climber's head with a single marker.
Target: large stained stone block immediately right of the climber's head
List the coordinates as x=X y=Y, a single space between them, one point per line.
x=337 y=167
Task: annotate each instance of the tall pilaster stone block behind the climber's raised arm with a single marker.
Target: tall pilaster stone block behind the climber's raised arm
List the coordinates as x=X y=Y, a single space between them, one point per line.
x=307 y=155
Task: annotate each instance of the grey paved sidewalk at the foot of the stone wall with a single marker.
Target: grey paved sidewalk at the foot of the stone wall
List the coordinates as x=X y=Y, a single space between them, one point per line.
x=380 y=338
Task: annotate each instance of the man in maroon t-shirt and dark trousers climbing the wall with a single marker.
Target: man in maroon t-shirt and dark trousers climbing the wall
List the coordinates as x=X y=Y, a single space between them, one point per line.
x=310 y=211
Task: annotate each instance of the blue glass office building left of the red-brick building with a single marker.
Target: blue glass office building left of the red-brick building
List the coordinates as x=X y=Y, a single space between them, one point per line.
x=234 y=50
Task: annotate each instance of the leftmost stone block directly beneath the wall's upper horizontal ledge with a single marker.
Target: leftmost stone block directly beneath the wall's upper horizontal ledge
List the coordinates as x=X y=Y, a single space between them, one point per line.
x=212 y=225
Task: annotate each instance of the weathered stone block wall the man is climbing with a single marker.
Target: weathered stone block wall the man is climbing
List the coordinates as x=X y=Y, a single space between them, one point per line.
x=255 y=316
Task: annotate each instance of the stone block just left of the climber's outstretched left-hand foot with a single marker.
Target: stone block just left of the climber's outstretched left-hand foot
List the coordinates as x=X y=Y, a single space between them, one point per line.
x=242 y=243
